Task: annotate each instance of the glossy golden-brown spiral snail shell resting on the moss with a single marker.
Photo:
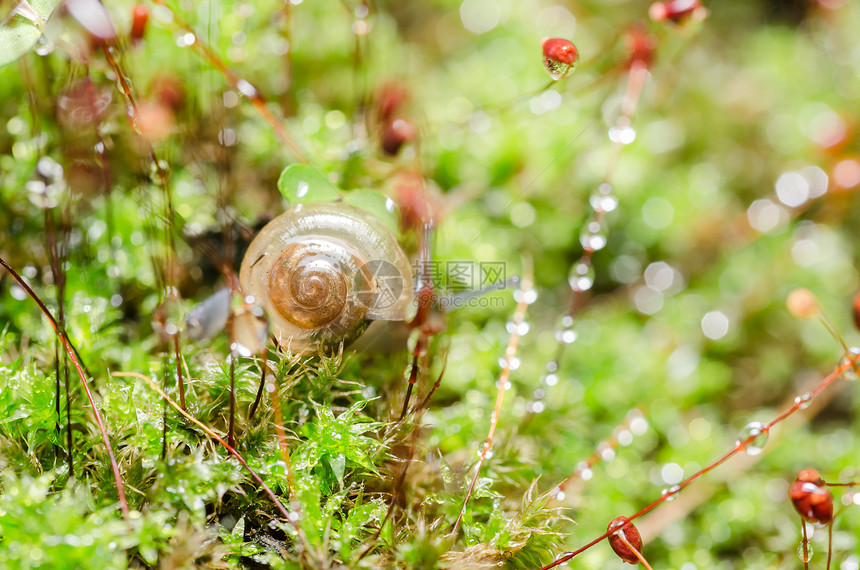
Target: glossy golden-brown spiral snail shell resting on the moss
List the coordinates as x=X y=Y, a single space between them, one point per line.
x=323 y=271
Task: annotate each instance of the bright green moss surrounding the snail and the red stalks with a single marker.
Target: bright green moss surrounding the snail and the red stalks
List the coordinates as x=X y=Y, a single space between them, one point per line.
x=508 y=163
